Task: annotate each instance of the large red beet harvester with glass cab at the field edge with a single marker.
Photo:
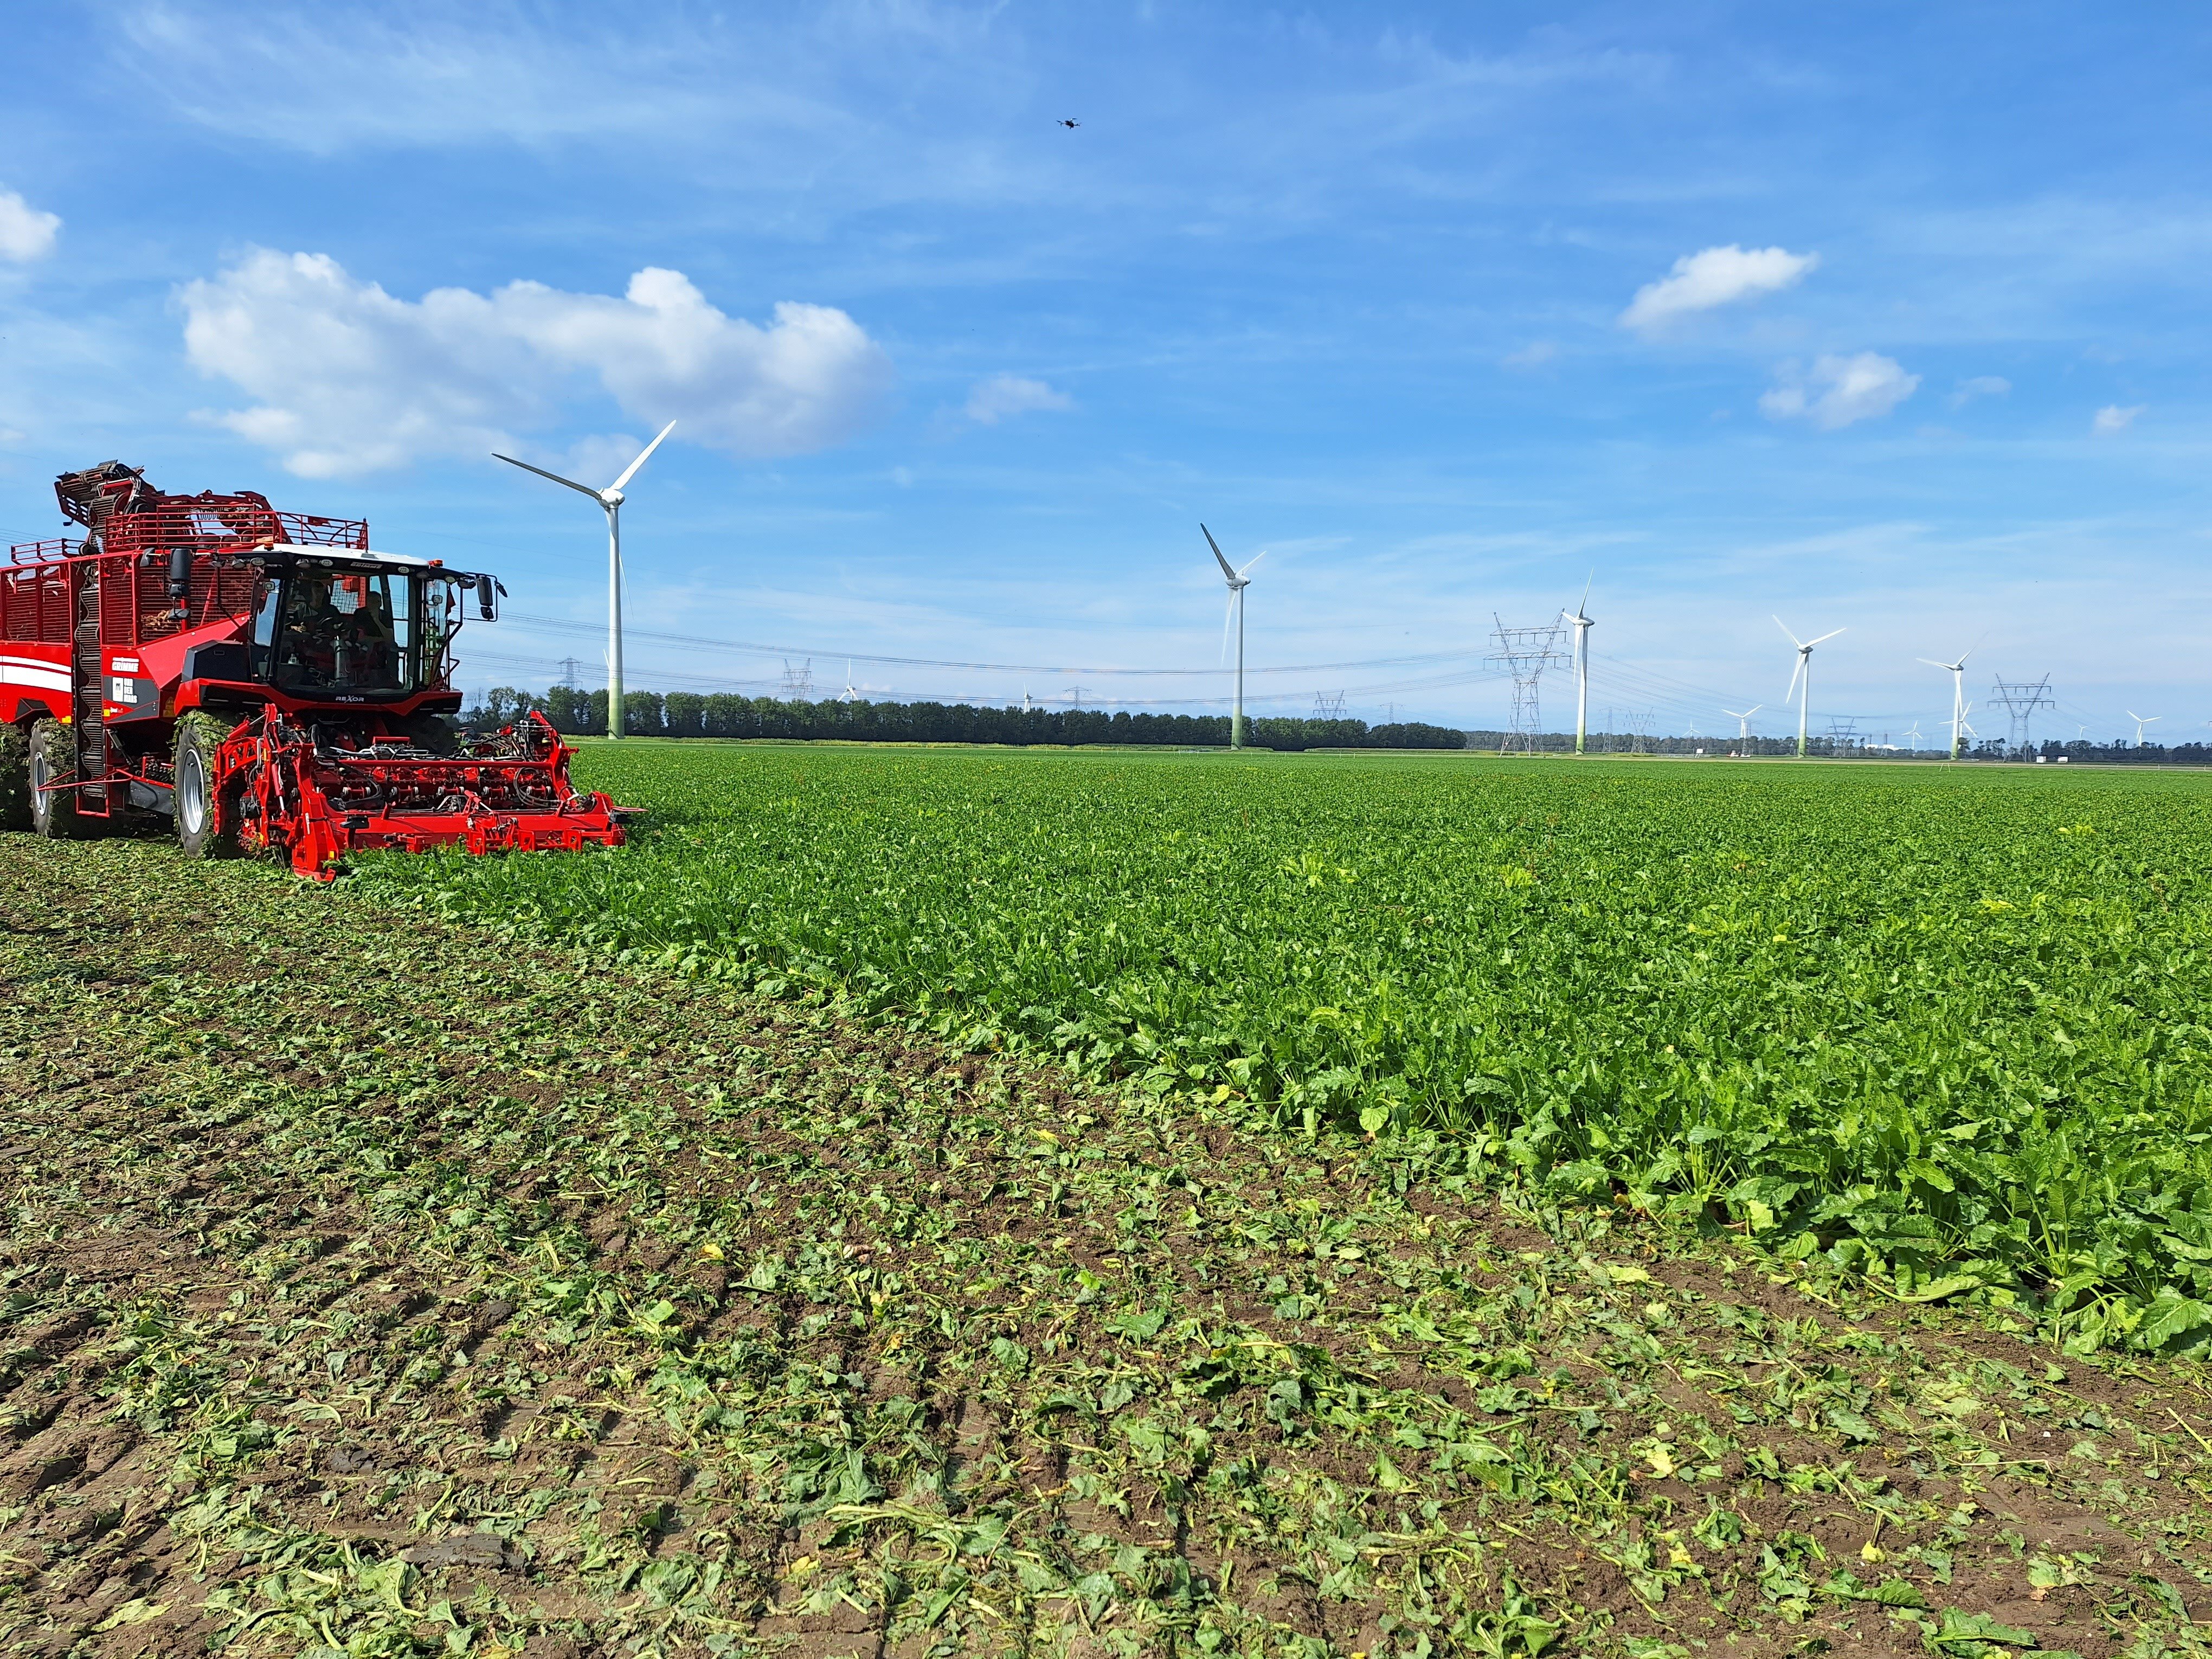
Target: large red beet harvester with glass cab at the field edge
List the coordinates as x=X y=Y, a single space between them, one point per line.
x=264 y=680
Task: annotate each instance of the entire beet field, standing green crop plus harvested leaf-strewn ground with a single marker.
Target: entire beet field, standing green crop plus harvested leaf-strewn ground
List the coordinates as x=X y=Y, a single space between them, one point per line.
x=1100 y=1204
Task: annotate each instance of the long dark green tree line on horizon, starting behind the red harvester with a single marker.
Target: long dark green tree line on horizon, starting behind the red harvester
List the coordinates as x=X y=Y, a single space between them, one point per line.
x=583 y=713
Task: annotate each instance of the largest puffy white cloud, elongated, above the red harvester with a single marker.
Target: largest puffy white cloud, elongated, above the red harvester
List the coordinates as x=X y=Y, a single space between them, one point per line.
x=353 y=379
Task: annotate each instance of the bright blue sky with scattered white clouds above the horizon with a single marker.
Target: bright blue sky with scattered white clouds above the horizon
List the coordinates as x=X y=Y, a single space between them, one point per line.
x=1877 y=317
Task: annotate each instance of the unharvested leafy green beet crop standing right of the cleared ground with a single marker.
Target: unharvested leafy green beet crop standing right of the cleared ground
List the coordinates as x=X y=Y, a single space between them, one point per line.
x=1943 y=1027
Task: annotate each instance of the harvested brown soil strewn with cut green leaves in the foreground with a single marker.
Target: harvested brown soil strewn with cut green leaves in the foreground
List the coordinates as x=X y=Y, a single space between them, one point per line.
x=382 y=1288
